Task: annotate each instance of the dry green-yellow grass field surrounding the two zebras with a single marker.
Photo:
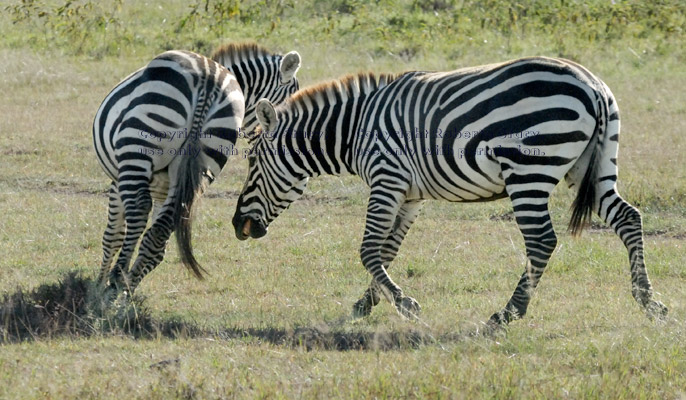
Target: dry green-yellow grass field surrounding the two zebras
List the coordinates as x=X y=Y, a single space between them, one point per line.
x=273 y=318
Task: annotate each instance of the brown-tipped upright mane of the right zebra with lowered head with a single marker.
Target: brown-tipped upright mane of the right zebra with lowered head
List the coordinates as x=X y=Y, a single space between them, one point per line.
x=353 y=85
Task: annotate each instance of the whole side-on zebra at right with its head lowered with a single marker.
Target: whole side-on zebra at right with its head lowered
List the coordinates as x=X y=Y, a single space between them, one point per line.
x=478 y=134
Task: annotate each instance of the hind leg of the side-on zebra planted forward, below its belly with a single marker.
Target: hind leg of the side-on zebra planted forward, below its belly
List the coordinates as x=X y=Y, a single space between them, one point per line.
x=533 y=219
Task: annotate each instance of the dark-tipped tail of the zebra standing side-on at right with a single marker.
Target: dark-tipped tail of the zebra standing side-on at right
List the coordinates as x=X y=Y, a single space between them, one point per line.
x=582 y=207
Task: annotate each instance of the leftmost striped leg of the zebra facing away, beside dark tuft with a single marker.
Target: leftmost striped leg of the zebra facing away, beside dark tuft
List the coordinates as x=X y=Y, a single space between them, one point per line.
x=113 y=238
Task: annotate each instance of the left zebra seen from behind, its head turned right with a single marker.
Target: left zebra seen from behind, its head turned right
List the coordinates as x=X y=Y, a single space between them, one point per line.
x=167 y=130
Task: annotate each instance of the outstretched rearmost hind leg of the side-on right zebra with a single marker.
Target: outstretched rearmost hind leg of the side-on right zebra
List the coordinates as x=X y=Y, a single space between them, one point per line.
x=626 y=221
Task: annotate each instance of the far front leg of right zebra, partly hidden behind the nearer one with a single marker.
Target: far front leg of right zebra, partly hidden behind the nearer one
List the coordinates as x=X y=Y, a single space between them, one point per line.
x=403 y=221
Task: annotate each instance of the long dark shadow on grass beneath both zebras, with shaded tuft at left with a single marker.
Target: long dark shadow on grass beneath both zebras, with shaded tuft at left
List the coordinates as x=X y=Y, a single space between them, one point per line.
x=70 y=308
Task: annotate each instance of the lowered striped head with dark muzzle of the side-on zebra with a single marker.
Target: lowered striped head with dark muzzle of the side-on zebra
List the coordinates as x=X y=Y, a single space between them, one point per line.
x=274 y=180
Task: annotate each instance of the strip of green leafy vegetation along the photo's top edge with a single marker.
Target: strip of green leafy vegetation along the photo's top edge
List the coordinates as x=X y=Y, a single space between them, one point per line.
x=402 y=27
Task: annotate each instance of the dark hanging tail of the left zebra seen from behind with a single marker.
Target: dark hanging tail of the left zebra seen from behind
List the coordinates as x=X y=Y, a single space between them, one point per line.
x=189 y=188
